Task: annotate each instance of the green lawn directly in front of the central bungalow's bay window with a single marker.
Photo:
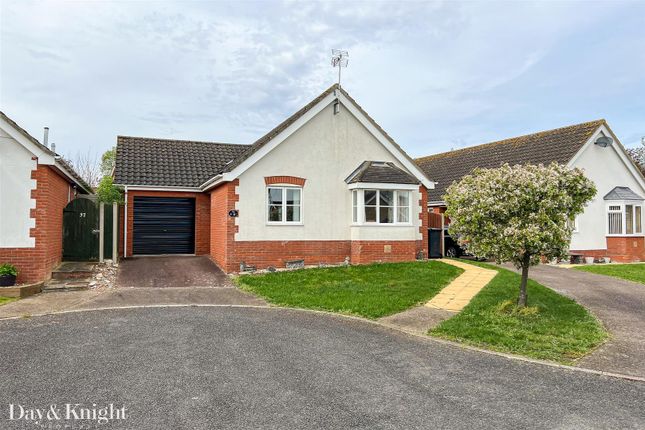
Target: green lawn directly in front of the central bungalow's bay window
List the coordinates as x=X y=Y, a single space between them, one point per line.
x=370 y=291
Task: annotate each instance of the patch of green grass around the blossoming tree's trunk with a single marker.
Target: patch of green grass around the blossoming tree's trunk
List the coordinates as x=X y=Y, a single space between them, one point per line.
x=556 y=328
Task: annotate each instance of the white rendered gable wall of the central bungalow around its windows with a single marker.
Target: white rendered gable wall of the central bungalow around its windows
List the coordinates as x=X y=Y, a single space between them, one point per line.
x=324 y=151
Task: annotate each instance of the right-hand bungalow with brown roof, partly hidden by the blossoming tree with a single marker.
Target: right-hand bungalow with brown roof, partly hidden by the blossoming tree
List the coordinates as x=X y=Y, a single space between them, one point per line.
x=611 y=225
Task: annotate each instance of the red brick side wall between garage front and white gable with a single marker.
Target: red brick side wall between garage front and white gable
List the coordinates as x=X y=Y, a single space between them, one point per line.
x=222 y=227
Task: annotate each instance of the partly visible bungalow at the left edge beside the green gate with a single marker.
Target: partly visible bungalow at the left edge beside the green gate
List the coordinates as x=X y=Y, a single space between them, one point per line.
x=35 y=186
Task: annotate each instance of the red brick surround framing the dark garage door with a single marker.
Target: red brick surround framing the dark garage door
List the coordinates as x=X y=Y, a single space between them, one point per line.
x=202 y=217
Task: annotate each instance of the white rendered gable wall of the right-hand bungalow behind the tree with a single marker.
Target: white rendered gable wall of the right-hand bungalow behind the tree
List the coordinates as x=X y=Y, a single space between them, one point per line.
x=607 y=170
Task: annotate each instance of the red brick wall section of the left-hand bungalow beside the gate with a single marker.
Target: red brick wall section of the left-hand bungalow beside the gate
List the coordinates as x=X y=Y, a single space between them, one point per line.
x=35 y=264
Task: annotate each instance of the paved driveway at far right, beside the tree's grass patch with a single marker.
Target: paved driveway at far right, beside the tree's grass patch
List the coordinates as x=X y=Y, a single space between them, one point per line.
x=619 y=304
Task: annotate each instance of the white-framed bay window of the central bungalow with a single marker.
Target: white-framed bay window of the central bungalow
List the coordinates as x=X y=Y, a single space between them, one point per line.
x=381 y=206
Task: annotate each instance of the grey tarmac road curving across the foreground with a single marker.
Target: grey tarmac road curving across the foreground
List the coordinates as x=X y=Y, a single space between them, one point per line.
x=204 y=368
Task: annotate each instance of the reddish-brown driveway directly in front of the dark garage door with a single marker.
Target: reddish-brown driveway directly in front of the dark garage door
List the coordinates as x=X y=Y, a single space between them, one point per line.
x=174 y=271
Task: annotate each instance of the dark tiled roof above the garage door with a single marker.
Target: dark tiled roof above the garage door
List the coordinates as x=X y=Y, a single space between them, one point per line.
x=171 y=163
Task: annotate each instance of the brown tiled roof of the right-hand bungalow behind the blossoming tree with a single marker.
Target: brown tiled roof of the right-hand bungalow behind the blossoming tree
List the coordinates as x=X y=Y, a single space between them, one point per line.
x=558 y=145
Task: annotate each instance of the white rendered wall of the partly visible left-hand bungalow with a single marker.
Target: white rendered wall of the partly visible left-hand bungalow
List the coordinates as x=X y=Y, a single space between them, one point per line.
x=15 y=194
